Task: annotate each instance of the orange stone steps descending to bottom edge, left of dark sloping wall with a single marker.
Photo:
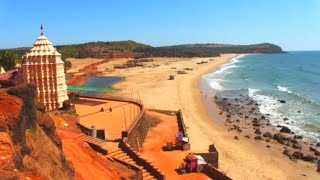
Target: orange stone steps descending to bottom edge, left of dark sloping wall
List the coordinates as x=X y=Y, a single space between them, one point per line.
x=121 y=156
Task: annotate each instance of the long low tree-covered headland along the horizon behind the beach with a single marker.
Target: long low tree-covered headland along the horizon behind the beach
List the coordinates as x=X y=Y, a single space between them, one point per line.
x=133 y=49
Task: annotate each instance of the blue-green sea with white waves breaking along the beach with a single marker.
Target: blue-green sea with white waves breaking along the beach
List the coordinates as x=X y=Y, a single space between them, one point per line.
x=268 y=78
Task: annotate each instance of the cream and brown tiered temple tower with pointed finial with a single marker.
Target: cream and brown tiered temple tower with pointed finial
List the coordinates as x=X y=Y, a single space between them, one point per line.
x=43 y=66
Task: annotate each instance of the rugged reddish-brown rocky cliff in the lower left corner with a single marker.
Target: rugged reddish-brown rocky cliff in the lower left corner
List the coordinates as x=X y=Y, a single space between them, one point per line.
x=29 y=147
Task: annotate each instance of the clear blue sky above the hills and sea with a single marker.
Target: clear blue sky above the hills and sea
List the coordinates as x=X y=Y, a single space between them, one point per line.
x=291 y=24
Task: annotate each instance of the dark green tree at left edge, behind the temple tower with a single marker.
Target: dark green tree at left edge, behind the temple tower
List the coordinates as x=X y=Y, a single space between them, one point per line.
x=8 y=59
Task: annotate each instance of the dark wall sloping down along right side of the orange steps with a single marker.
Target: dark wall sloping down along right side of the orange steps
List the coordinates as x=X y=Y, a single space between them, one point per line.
x=151 y=168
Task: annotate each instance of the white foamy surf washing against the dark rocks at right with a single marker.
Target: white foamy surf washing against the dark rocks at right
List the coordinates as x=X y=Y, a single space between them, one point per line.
x=270 y=106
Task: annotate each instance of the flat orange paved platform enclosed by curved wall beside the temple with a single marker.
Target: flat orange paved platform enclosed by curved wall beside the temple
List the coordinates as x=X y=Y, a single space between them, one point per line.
x=120 y=117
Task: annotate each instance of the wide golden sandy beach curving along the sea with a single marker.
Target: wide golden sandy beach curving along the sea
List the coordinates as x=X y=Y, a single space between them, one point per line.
x=240 y=159
